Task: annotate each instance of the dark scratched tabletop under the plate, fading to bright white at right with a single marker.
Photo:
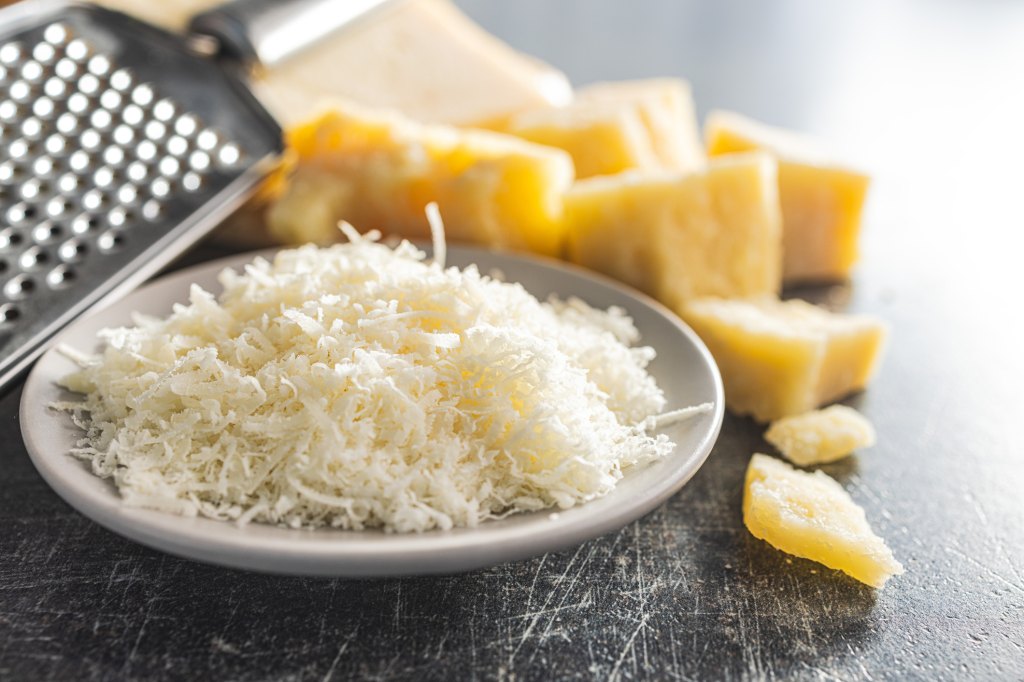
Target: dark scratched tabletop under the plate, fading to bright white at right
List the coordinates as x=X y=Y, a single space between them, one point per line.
x=926 y=95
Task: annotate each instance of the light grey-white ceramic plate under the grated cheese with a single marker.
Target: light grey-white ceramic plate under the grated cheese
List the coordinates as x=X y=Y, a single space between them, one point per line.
x=685 y=369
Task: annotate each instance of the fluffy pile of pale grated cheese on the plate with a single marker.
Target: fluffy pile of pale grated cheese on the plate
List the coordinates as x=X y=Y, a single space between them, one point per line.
x=359 y=387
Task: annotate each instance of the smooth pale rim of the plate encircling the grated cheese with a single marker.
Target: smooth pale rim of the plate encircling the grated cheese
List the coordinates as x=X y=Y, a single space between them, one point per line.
x=366 y=555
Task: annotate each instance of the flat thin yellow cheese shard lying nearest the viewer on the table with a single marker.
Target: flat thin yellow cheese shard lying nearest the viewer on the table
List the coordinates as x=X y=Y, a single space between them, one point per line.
x=812 y=517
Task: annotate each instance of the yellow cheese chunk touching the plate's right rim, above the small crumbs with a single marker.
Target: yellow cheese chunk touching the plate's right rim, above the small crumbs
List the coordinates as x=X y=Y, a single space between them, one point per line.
x=786 y=358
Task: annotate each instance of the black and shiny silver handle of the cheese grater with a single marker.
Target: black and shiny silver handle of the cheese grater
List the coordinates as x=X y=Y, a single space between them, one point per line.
x=269 y=32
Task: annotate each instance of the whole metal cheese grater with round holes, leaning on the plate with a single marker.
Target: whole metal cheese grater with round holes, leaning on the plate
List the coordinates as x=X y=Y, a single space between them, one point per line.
x=122 y=145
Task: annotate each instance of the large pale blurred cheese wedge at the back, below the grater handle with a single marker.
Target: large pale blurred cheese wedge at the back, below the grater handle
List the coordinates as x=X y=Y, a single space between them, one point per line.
x=422 y=58
